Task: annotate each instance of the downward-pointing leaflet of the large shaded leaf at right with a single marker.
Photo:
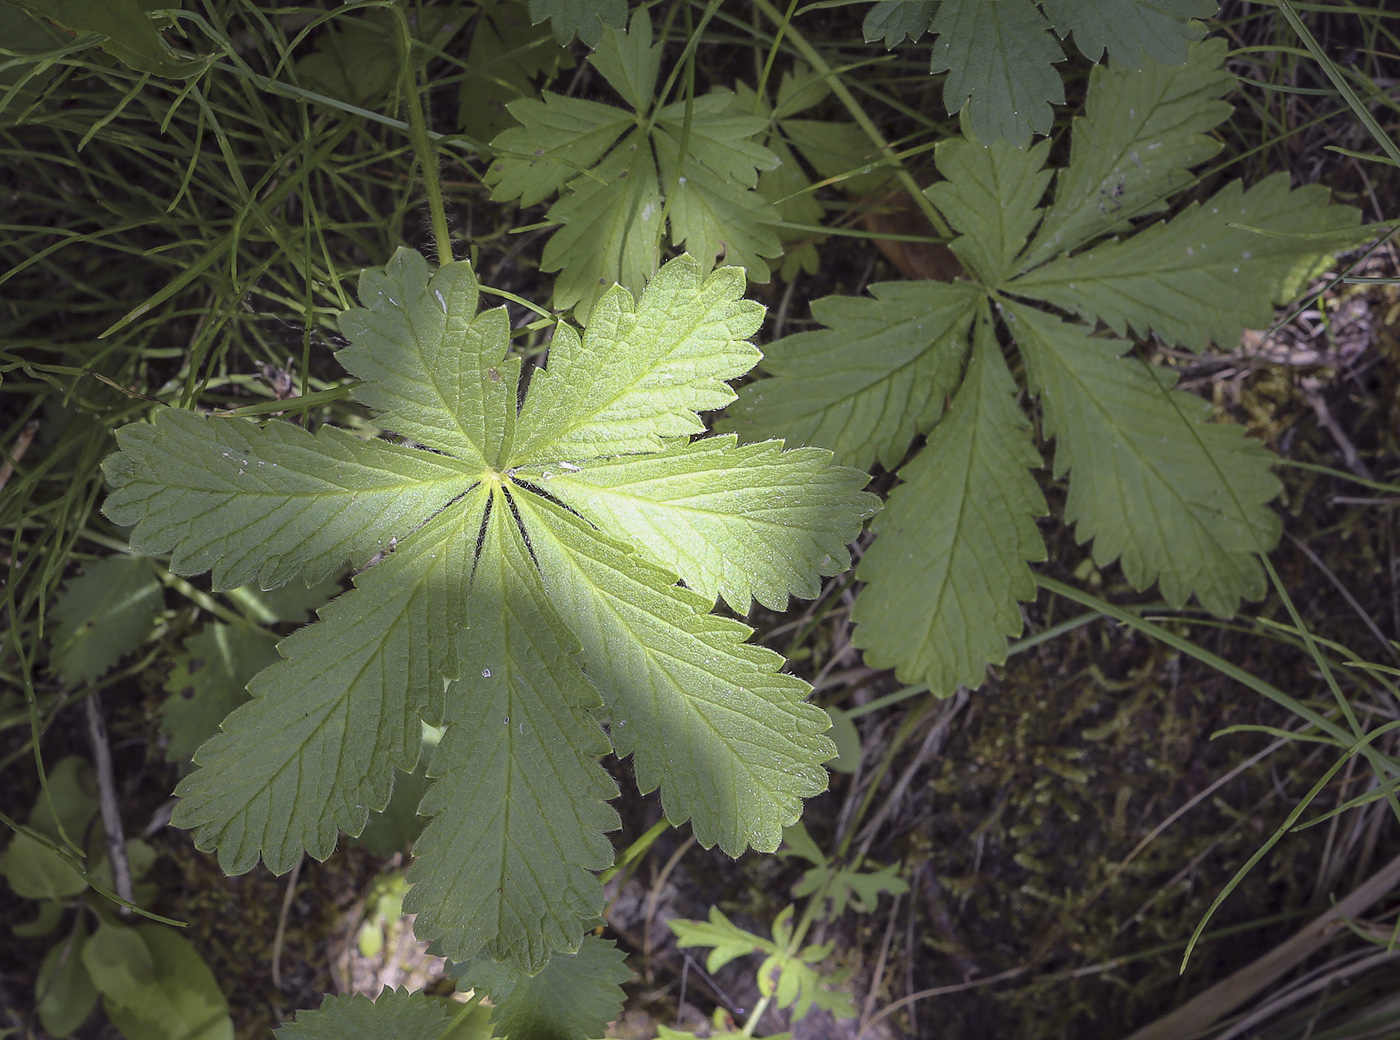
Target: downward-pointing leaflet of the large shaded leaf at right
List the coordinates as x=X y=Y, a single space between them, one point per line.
x=951 y=562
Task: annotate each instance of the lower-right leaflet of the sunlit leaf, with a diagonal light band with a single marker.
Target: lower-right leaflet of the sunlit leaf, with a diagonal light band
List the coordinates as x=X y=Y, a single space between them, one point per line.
x=705 y=715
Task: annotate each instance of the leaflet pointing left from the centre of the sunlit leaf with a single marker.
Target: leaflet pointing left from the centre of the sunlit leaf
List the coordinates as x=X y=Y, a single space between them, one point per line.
x=265 y=505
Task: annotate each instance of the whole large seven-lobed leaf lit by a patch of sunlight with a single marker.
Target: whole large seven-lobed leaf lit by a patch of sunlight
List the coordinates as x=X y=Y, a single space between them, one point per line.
x=530 y=590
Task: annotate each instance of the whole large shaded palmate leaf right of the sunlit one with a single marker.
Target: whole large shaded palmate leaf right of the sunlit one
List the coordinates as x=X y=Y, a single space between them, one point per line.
x=1174 y=498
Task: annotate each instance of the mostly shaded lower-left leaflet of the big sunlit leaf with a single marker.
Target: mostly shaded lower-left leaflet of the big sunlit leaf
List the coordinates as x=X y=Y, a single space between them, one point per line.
x=316 y=748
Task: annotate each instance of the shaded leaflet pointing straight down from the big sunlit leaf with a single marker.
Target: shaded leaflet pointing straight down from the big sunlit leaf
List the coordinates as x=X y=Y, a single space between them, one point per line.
x=519 y=807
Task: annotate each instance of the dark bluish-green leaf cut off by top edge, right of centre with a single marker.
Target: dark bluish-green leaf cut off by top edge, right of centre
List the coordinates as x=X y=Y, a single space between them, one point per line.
x=1000 y=57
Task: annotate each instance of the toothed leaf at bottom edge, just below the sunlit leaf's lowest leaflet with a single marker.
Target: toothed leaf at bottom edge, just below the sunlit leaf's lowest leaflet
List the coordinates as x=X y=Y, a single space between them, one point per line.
x=576 y=996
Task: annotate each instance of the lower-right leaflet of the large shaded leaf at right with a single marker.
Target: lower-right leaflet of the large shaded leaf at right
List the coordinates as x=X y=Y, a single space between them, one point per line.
x=1174 y=498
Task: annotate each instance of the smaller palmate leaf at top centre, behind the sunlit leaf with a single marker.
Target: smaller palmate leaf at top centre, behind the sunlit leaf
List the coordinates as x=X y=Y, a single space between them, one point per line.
x=633 y=178
